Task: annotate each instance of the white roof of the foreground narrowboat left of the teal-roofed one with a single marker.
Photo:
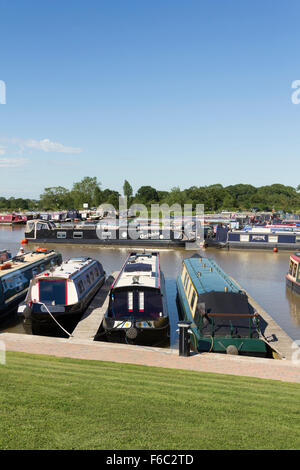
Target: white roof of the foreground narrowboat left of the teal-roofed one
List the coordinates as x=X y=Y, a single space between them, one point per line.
x=139 y=269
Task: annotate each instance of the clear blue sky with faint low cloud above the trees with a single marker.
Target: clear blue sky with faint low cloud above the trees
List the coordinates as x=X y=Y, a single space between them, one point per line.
x=163 y=93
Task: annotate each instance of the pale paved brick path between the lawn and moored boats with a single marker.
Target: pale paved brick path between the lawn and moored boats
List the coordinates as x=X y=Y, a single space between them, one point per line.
x=285 y=370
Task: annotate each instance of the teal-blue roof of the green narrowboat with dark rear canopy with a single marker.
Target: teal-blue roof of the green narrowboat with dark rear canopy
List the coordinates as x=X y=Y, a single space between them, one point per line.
x=207 y=276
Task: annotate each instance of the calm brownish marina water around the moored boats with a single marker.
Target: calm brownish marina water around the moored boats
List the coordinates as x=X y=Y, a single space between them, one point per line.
x=261 y=273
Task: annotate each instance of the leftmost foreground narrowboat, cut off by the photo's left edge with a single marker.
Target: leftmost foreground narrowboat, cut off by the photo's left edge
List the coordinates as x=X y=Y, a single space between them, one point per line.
x=16 y=274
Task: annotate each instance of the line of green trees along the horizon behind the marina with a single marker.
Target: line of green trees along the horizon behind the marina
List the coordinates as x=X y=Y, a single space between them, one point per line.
x=214 y=197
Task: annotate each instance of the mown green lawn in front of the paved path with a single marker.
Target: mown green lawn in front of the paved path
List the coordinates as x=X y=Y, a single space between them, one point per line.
x=58 y=403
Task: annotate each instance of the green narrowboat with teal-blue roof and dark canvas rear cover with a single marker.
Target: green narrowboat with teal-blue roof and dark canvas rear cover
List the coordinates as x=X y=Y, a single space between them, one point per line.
x=222 y=319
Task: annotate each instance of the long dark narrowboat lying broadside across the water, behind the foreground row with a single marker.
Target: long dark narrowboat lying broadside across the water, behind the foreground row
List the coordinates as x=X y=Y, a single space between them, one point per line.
x=102 y=233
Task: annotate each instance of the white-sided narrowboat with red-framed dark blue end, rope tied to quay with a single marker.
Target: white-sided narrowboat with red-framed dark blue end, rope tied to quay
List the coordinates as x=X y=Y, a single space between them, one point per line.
x=57 y=298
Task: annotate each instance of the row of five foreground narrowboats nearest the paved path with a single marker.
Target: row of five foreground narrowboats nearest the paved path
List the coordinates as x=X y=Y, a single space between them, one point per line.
x=50 y=294
